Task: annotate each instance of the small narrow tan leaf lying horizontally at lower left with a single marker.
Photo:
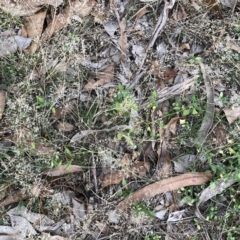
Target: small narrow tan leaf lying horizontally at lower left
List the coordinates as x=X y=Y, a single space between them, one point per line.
x=62 y=170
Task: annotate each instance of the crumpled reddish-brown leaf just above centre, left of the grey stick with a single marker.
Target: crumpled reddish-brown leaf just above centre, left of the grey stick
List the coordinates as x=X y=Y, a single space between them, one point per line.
x=104 y=77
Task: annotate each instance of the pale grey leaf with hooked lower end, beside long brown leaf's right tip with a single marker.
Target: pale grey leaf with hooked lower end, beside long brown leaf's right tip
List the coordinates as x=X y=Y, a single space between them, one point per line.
x=210 y=192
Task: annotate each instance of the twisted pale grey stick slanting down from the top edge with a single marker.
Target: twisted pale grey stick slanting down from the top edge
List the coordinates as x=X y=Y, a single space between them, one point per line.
x=160 y=25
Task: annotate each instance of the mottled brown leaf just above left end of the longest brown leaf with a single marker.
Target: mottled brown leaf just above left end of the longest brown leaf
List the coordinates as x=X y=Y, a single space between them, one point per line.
x=137 y=169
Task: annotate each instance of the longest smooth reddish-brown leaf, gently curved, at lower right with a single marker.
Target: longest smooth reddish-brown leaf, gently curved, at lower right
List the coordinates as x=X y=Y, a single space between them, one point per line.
x=165 y=185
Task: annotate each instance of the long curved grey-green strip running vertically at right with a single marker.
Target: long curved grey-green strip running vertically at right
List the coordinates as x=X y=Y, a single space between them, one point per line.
x=209 y=114
